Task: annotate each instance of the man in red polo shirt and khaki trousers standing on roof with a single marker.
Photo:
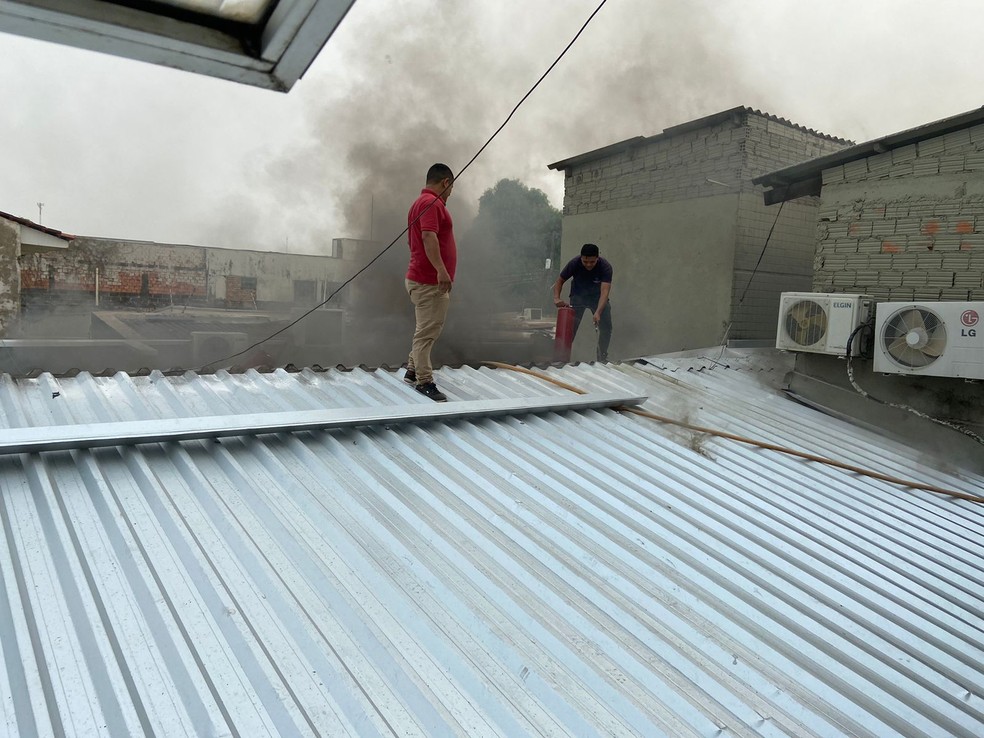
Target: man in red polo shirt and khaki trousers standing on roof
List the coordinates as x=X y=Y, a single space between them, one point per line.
x=433 y=258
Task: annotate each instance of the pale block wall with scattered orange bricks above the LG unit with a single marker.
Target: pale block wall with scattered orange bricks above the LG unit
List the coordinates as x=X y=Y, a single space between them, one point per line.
x=907 y=224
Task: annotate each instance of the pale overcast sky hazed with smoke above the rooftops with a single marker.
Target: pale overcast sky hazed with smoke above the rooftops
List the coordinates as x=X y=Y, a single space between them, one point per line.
x=116 y=148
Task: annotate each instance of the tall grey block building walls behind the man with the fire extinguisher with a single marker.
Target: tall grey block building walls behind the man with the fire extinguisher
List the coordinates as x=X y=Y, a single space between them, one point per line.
x=629 y=202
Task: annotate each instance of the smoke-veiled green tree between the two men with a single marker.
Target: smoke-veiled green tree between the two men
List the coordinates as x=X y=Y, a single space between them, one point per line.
x=515 y=232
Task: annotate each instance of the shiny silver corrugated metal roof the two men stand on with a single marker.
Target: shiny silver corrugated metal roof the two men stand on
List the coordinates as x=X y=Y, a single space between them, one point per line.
x=570 y=574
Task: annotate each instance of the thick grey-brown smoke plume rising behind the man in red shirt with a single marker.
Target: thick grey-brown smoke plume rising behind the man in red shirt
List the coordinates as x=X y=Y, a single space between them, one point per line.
x=429 y=82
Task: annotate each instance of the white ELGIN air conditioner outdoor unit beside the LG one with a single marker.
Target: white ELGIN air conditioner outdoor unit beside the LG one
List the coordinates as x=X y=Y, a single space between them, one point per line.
x=821 y=322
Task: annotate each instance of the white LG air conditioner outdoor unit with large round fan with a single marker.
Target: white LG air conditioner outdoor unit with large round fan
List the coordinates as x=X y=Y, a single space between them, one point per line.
x=936 y=339
